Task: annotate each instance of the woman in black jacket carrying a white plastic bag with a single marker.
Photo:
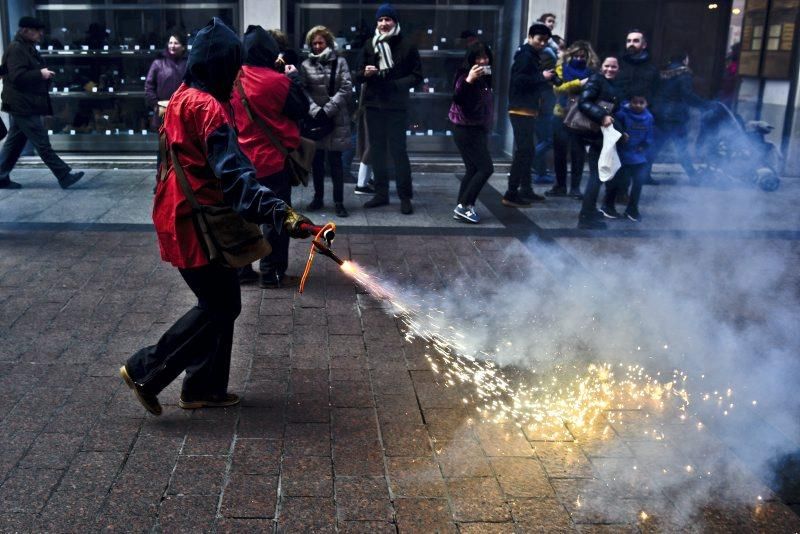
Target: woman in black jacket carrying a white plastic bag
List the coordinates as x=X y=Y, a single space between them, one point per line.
x=600 y=98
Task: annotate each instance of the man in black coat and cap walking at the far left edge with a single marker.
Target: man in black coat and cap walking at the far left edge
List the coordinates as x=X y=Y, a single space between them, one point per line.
x=26 y=83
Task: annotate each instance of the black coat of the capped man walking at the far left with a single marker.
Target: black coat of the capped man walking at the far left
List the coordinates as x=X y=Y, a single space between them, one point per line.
x=24 y=90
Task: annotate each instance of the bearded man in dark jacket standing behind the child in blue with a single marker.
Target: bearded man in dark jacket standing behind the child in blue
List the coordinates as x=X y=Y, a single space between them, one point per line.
x=638 y=76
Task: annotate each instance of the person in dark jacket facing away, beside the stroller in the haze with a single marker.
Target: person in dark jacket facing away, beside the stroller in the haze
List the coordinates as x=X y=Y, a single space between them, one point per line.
x=674 y=99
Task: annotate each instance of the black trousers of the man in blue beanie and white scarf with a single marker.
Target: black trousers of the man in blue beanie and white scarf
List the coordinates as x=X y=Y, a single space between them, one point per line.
x=387 y=139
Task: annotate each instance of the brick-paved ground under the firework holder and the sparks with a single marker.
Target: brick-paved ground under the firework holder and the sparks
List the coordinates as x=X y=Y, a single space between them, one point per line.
x=343 y=426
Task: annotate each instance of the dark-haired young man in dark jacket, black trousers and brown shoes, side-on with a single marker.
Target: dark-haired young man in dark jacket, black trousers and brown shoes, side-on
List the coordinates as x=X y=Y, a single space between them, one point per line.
x=528 y=84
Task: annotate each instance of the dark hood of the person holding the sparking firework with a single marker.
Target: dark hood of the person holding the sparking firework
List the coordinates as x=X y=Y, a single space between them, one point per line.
x=214 y=60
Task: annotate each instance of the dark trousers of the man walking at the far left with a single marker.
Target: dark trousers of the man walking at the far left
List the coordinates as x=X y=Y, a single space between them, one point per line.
x=25 y=128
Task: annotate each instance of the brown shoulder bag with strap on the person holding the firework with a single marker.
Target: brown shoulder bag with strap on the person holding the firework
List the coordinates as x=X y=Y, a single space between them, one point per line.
x=227 y=239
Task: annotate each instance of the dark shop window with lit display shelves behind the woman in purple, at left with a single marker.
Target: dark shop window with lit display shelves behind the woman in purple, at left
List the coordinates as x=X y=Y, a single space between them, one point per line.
x=101 y=55
